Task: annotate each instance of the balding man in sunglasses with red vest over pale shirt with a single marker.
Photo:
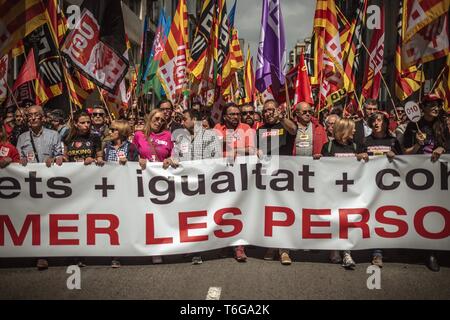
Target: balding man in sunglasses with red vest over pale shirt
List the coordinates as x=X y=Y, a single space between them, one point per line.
x=311 y=136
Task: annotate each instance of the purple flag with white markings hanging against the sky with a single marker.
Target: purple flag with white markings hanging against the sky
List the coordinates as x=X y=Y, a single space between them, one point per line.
x=271 y=67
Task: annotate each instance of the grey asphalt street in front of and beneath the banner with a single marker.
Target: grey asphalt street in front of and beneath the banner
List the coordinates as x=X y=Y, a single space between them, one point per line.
x=311 y=276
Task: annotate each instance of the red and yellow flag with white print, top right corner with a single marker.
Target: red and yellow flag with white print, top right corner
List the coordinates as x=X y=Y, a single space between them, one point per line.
x=426 y=32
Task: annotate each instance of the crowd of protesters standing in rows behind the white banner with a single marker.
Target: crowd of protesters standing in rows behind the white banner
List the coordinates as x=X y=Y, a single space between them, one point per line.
x=170 y=135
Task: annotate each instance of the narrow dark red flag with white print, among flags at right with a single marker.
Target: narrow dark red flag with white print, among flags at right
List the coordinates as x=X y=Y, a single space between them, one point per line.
x=372 y=74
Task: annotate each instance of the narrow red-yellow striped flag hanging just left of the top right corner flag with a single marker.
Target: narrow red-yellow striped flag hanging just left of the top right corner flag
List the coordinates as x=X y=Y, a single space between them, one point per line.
x=406 y=81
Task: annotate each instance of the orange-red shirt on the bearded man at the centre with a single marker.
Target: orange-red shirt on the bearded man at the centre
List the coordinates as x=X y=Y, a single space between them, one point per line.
x=242 y=137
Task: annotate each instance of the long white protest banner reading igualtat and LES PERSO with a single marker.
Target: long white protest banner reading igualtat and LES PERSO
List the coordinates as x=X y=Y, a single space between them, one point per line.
x=331 y=203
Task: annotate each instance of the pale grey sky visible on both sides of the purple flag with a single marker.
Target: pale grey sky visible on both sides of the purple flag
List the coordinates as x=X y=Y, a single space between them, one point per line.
x=298 y=21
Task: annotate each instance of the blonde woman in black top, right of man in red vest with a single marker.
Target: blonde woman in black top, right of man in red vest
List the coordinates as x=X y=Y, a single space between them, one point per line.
x=343 y=146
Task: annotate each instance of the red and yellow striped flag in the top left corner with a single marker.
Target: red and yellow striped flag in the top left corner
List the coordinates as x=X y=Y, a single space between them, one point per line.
x=18 y=18
